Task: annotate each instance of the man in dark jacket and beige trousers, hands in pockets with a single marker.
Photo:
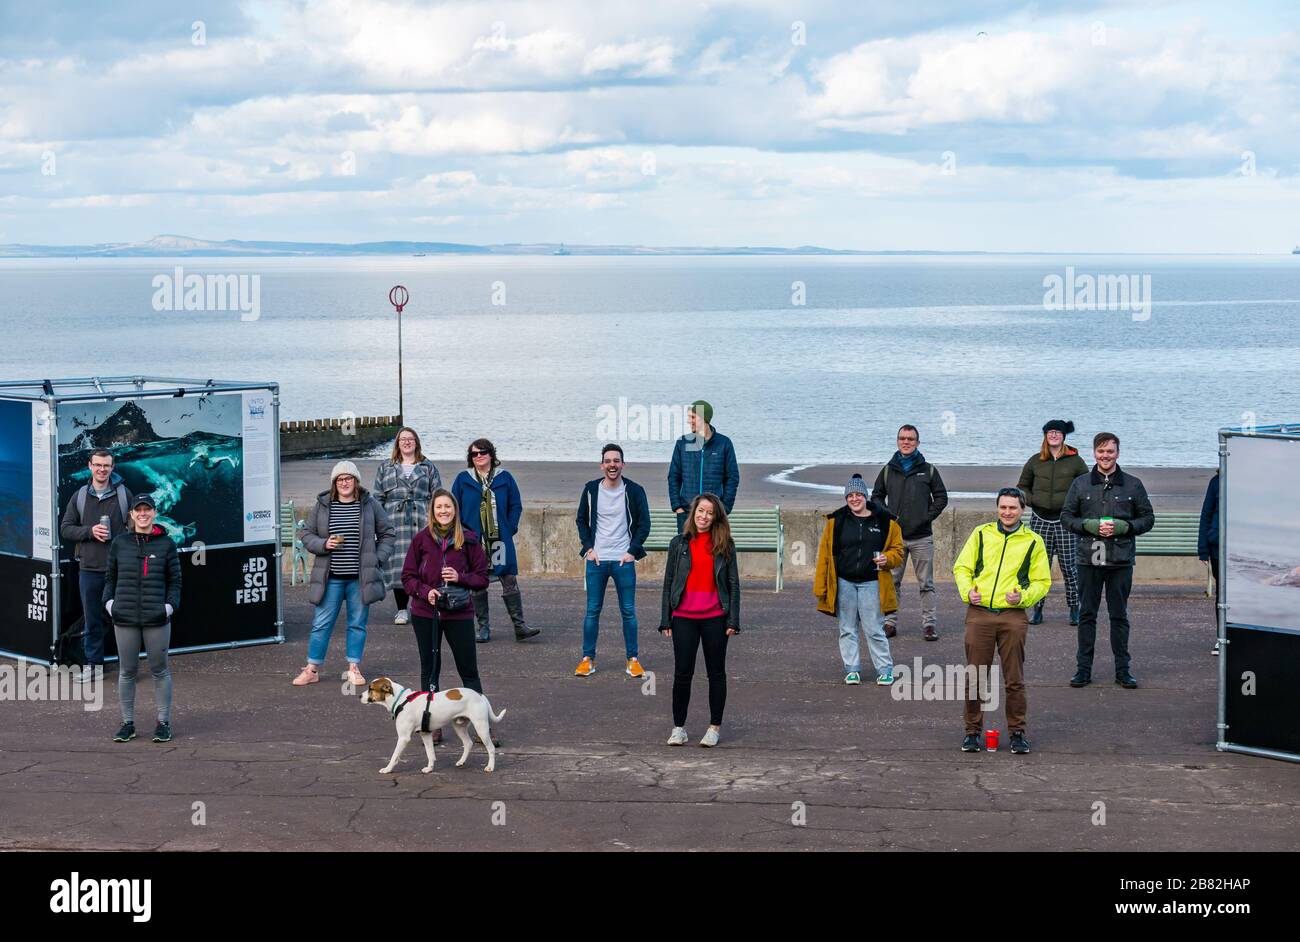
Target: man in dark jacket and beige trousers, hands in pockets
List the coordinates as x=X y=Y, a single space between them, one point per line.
x=912 y=489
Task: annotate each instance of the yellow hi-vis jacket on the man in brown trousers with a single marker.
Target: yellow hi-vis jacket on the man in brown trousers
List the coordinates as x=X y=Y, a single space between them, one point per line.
x=996 y=565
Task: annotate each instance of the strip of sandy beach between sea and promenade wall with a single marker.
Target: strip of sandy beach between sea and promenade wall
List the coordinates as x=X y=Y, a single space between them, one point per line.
x=762 y=484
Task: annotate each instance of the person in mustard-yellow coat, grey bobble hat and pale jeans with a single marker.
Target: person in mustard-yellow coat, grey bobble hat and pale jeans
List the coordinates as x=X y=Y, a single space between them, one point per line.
x=861 y=544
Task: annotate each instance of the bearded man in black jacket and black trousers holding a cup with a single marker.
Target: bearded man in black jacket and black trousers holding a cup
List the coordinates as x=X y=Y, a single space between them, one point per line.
x=1108 y=509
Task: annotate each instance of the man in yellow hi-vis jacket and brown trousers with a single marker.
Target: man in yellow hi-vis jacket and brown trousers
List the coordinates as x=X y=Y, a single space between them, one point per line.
x=1003 y=571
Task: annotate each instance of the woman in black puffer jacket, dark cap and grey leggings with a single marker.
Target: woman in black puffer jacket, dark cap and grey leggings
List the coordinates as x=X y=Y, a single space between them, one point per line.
x=142 y=593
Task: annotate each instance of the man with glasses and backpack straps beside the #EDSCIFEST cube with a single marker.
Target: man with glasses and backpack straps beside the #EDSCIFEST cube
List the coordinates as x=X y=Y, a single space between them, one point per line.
x=83 y=524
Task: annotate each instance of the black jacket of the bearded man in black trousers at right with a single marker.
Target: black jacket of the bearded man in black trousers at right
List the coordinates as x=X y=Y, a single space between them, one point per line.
x=1123 y=498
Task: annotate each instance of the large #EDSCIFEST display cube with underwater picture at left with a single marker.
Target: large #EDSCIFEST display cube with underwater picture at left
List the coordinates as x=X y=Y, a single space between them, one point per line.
x=207 y=450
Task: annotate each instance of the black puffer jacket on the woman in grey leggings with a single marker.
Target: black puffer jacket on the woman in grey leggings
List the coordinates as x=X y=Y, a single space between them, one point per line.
x=144 y=579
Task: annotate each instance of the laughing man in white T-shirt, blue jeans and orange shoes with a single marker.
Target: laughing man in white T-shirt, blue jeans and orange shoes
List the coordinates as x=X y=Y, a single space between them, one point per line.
x=613 y=523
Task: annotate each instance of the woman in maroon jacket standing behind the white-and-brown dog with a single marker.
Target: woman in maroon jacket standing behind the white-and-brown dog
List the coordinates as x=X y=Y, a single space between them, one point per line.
x=444 y=566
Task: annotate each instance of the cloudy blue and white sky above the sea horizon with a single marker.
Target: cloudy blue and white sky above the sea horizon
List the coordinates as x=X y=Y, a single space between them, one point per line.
x=892 y=124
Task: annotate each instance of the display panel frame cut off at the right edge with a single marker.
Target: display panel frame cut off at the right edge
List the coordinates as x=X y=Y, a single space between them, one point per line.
x=1259 y=592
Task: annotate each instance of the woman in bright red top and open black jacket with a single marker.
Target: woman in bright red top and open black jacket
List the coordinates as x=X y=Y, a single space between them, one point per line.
x=701 y=607
